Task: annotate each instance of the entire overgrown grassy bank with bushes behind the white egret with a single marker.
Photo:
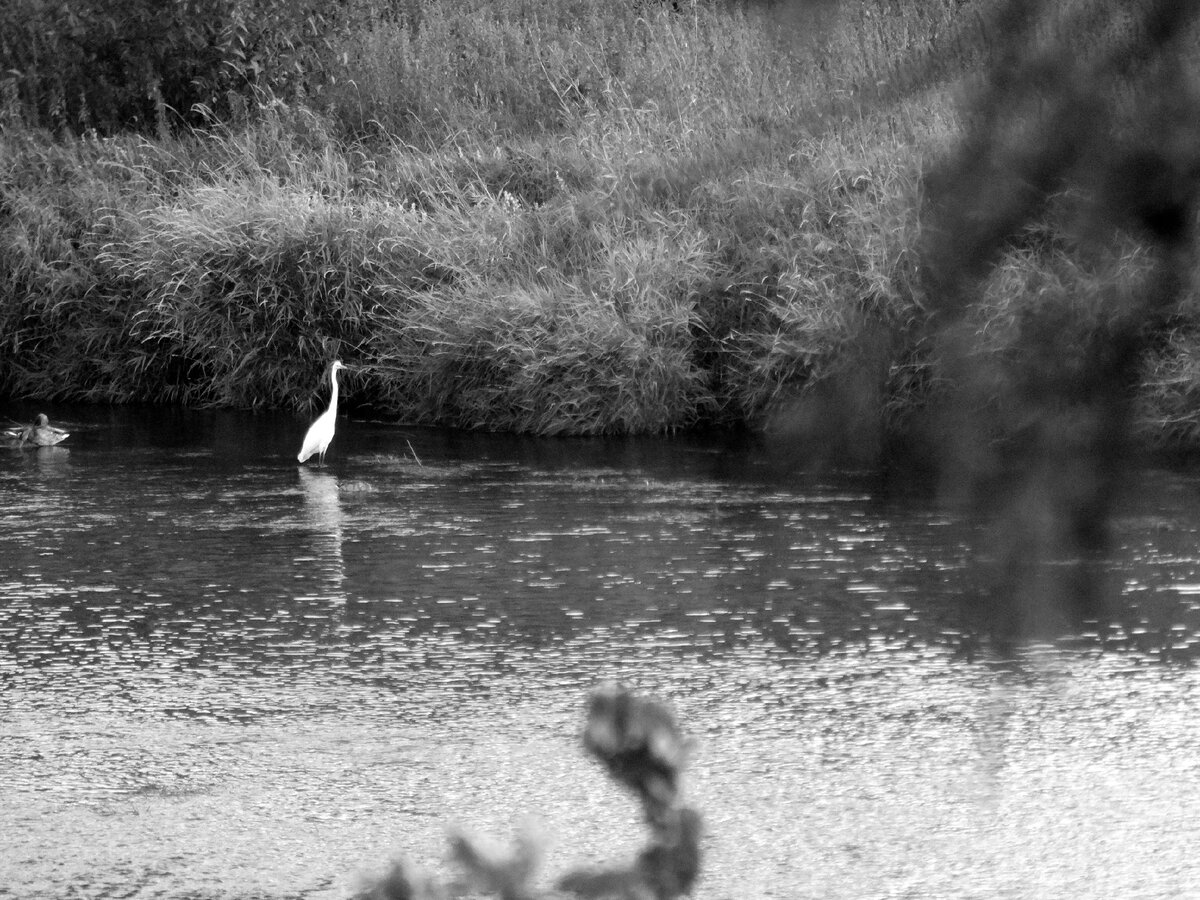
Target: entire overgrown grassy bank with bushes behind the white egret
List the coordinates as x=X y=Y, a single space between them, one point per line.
x=545 y=217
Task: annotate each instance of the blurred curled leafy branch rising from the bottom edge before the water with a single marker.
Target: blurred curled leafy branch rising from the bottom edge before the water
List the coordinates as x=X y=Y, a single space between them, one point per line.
x=643 y=749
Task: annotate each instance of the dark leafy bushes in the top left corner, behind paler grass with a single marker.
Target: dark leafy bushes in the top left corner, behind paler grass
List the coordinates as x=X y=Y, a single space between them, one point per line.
x=113 y=65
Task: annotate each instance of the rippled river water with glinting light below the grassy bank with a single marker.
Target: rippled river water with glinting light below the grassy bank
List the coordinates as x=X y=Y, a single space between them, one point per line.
x=227 y=676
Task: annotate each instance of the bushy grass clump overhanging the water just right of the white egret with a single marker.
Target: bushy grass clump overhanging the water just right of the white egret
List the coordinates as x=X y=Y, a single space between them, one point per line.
x=512 y=340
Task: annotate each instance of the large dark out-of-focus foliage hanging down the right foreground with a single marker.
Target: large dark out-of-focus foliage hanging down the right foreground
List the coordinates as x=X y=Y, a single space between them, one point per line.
x=1055 y=256
